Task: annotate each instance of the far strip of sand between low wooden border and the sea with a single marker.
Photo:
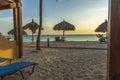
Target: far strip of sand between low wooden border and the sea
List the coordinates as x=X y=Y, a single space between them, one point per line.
x=70 y=44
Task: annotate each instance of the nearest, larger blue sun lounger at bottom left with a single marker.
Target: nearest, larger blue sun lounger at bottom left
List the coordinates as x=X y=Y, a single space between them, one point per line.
x=14 y=67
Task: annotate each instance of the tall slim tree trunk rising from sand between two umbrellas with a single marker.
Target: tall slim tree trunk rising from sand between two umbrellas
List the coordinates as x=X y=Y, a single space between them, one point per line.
x=40 y=27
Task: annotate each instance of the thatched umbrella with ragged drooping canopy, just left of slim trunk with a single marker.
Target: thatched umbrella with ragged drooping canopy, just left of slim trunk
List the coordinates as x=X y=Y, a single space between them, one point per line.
x=33 y=26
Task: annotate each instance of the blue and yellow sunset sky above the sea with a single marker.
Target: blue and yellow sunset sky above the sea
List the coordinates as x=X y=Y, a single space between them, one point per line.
x=85 y=15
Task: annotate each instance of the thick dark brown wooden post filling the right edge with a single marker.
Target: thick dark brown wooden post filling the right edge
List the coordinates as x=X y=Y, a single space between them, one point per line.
x=114 y=40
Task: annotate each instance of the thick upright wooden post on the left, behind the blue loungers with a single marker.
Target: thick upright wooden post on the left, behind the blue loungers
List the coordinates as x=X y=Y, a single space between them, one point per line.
x=17 y=13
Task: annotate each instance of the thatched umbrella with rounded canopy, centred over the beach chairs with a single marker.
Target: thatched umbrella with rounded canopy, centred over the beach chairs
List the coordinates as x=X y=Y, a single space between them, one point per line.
x=65 y=26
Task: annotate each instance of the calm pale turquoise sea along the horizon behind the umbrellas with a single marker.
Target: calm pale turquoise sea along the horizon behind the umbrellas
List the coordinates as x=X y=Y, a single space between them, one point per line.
x=82 y=37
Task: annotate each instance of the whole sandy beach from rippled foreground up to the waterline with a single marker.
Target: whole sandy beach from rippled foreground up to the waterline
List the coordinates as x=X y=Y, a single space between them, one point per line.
x=65 y=63
